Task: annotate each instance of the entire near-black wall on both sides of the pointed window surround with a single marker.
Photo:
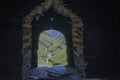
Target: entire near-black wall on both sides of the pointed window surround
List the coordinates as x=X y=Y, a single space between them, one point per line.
x=101 y=36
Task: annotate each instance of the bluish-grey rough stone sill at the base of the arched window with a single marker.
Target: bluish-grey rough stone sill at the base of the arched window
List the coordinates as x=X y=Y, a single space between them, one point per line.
x=59 y=72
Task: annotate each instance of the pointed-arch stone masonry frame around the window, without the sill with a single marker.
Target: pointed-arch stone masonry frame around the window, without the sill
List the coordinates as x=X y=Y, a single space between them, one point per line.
x=74 y=29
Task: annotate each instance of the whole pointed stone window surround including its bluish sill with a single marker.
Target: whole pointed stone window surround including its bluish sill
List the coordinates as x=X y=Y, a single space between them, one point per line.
x=73 y=35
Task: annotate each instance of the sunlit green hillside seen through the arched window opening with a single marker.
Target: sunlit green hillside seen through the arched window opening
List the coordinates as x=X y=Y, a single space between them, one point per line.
x=51 y=51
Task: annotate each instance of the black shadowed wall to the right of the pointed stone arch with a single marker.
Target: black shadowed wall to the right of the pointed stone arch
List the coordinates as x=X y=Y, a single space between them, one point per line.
x=101 y=39
